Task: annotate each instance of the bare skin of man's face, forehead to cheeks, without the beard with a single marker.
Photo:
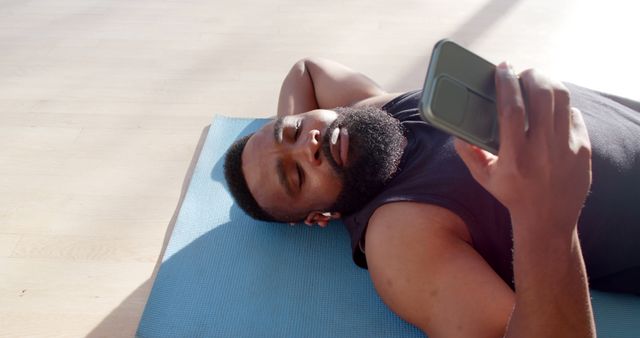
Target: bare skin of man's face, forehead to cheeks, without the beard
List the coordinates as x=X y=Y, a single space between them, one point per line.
x=306 y=181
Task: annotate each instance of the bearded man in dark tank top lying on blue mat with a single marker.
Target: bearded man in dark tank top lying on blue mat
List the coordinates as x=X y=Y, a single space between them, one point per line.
x=457 y=241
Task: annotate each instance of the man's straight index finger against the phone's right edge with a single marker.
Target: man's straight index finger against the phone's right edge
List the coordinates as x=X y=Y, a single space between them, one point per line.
x=511 y=110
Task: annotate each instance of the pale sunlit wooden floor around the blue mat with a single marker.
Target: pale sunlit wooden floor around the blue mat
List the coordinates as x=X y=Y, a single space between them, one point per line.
x=103 y=104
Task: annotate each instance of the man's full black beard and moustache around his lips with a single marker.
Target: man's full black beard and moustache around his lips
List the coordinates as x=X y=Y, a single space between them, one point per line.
x=376 y=143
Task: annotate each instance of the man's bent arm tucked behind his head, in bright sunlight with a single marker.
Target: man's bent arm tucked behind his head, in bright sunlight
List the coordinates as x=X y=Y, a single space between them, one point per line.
x=315 y=83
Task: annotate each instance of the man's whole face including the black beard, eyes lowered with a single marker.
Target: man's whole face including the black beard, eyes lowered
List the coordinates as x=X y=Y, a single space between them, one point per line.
x=320 y=161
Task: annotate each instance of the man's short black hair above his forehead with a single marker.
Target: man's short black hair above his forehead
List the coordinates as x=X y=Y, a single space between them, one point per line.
x=238 y=185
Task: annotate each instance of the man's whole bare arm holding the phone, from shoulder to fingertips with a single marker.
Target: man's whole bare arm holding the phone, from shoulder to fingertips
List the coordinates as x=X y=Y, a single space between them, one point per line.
x=420 y=257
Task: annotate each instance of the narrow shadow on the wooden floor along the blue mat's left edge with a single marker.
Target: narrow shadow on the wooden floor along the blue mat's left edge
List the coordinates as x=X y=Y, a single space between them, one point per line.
x=123 y=320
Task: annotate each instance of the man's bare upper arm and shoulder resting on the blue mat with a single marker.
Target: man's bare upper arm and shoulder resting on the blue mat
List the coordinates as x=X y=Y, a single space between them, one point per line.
x=424 y=268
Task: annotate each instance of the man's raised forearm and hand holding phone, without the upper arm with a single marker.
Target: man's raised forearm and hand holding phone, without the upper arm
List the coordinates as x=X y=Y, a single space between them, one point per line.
x=542 y=176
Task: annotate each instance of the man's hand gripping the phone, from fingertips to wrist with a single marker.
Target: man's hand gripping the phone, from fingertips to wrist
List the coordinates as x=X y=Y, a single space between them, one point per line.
x=541 y=175
